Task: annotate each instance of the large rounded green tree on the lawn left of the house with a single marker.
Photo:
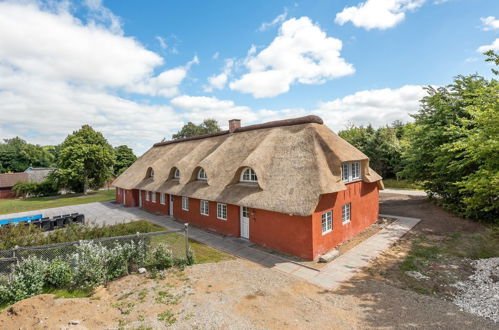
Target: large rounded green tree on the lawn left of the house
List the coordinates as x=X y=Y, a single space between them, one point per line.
x=85 y=160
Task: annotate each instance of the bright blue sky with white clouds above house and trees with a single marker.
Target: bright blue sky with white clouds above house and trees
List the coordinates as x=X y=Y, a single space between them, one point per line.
x=138 y=70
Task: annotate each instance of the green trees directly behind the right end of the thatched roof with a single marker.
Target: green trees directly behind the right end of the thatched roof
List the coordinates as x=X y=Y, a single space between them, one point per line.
x=382 y=146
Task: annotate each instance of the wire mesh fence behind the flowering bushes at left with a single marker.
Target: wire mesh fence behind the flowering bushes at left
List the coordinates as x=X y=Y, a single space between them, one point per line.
x=176 y=240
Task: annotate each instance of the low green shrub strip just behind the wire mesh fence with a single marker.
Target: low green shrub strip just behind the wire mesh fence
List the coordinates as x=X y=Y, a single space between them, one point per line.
x=30 y=235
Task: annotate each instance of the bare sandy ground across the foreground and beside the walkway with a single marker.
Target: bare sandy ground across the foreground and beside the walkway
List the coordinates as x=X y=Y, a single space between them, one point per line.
x=238 y=294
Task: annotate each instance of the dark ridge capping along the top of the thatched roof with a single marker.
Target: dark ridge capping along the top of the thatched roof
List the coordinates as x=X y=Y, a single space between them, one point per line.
x=311 y=119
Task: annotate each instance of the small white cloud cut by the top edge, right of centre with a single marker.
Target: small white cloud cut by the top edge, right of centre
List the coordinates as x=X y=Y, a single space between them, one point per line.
x=377 y=14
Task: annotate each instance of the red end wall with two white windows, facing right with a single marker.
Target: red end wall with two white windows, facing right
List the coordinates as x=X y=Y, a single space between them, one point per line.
x=364 y=212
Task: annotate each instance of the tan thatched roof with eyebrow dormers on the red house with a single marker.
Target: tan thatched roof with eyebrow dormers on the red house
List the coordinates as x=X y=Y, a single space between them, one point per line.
x=295 y=160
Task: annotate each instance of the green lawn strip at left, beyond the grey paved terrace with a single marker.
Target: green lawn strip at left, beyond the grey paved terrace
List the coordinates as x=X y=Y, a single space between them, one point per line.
x=37 y=203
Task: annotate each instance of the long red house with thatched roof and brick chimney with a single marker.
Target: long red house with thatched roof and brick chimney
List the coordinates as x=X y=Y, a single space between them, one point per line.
x=292 y=185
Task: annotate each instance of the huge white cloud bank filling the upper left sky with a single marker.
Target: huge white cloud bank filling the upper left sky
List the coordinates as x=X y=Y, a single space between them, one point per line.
x=59 y=72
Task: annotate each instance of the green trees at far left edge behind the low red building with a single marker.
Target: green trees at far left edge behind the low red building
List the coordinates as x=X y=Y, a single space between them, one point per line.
x=16 y=155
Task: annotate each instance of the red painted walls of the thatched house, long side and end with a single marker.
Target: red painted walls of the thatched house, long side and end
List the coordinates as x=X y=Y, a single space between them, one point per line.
x=300 y=236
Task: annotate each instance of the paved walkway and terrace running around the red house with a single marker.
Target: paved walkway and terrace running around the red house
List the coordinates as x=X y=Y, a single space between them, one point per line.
x=330 y=276
